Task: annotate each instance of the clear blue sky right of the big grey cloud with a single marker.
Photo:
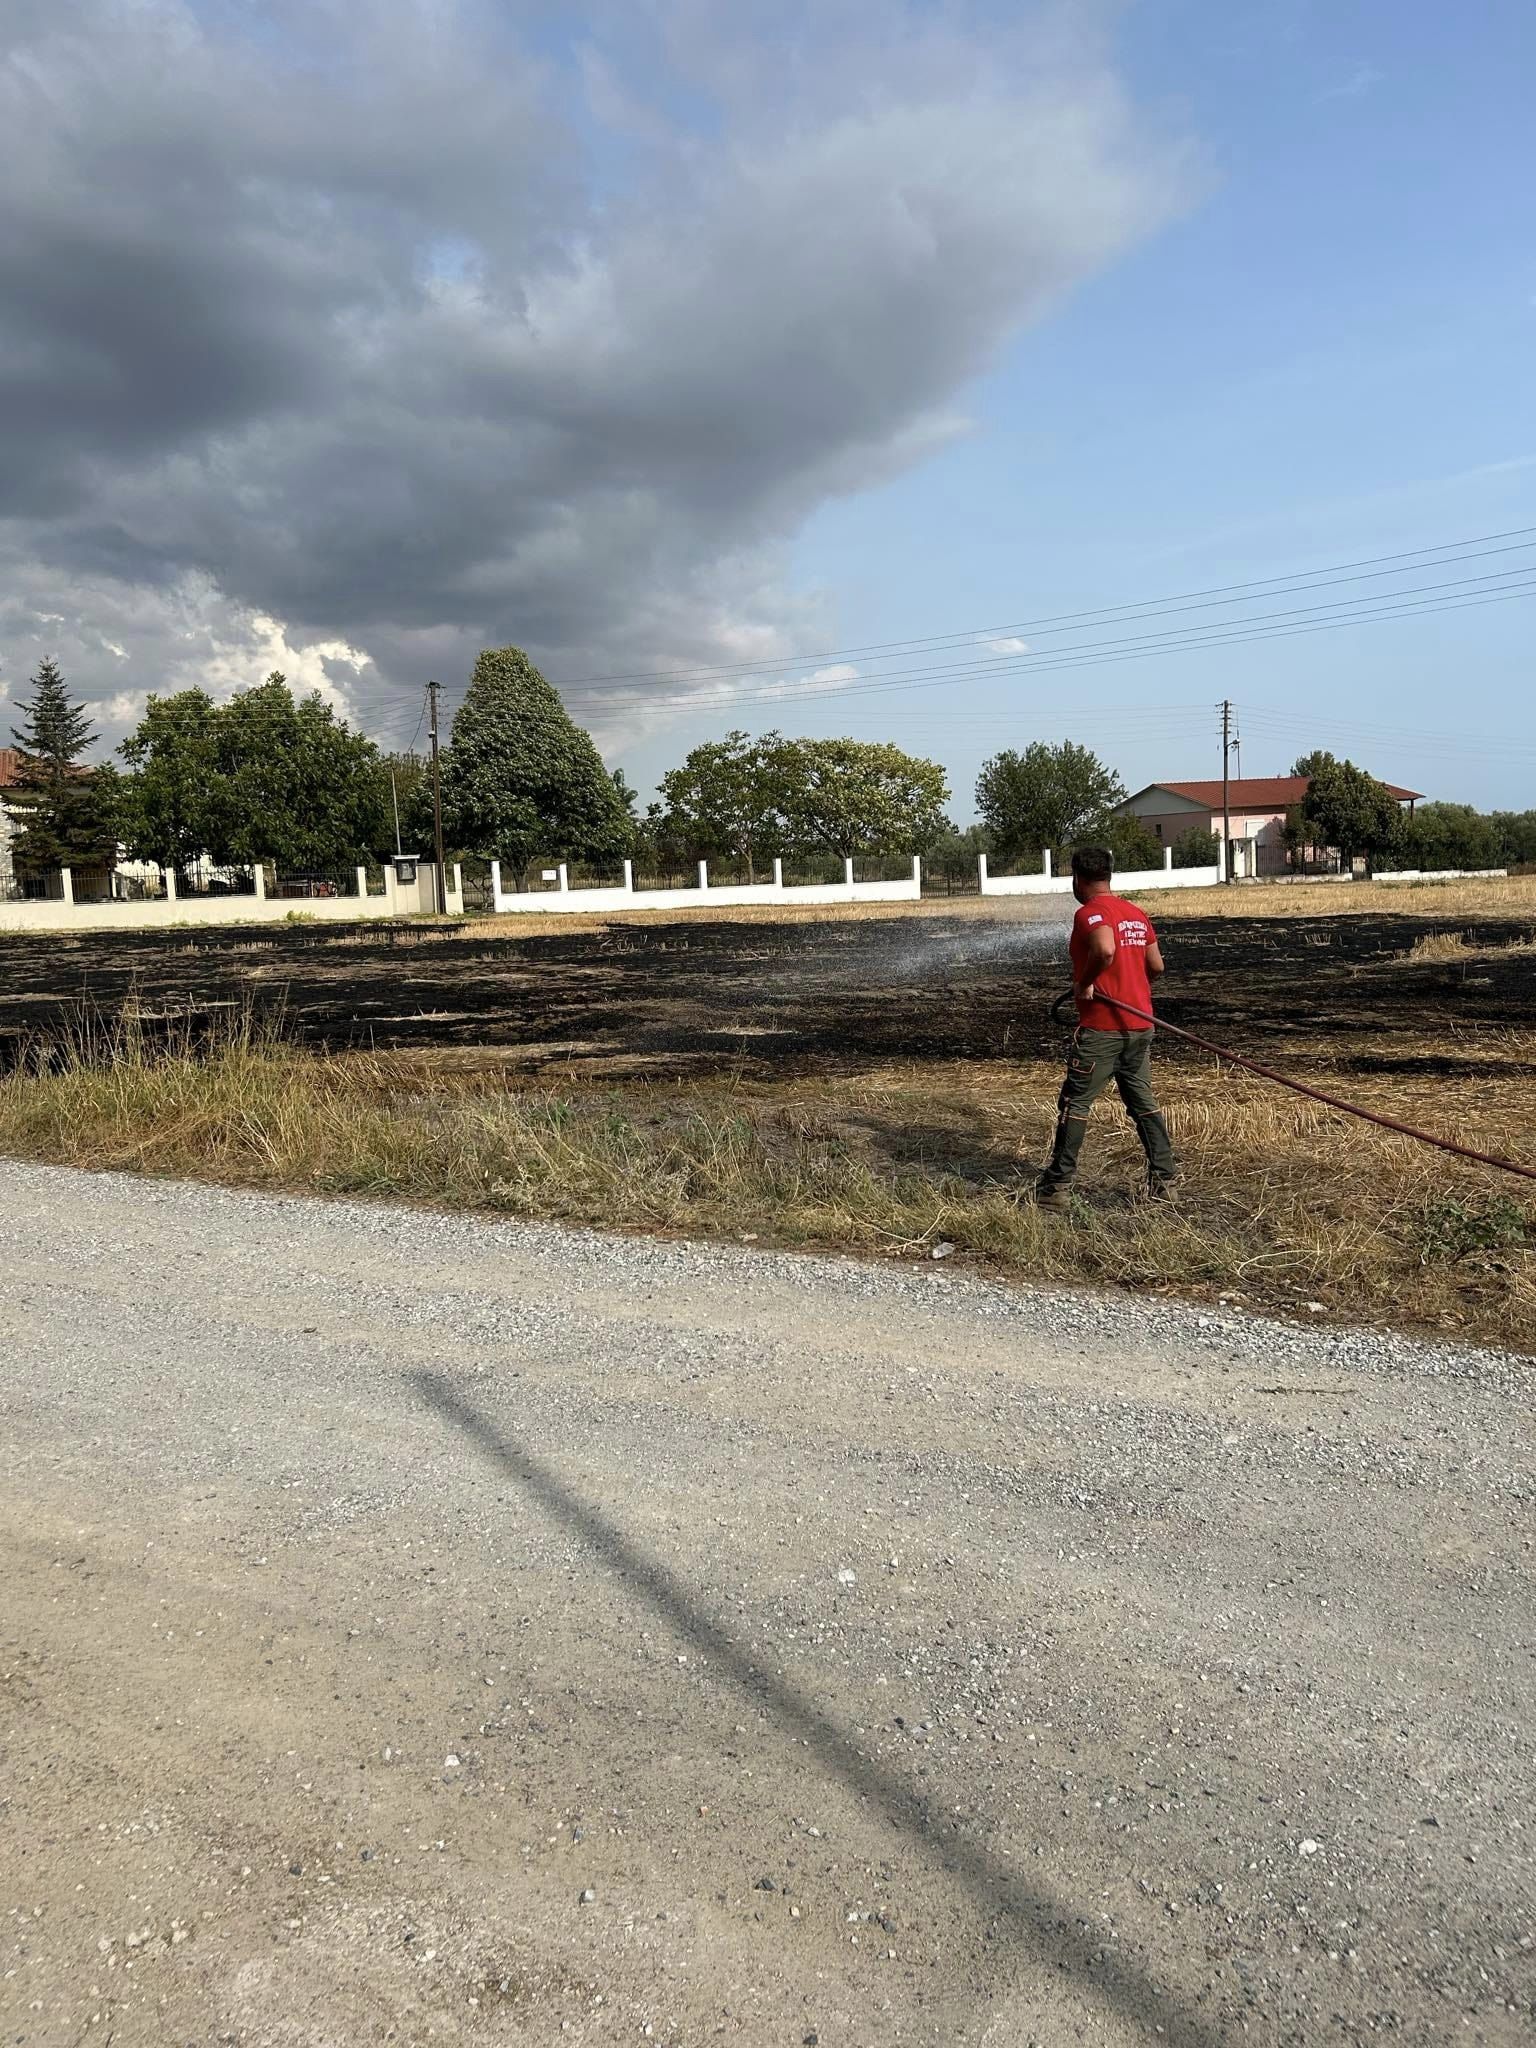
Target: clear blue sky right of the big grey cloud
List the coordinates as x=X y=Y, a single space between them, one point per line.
x=1326 y=357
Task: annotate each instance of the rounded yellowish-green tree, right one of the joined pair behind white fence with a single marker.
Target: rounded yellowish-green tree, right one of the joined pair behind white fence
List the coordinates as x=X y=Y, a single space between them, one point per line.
x=859 y=798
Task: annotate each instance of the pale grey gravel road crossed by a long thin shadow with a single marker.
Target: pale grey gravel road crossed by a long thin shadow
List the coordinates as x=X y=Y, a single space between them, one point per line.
x=431 y=1631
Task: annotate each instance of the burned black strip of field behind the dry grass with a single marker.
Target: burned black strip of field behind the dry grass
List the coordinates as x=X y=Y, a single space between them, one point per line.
x=794 y=998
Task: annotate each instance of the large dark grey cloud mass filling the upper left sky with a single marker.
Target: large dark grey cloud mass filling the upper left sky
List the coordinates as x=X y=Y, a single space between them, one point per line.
x=368 y=331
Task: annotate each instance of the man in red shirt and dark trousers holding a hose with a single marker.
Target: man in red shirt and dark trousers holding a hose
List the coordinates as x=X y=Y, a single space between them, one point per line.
x=1115 y=959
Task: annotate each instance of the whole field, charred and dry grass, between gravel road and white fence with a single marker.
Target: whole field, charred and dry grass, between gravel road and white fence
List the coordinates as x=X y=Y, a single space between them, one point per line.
x=876 y=1080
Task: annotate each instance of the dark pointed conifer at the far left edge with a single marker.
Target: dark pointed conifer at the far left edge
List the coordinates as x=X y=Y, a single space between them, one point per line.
x=69 y=814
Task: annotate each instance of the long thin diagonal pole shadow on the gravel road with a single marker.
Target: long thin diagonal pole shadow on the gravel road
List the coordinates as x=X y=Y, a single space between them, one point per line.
x=1031 y=1918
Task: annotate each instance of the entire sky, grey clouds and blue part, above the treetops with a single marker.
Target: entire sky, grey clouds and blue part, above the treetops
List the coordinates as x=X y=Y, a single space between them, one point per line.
x=1121 y=357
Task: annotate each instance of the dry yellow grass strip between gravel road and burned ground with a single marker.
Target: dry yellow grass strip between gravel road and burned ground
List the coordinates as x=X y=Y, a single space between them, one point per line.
x=1283 y=1211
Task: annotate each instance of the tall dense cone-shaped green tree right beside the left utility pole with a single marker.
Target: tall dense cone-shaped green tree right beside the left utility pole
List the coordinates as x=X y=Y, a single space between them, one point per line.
x=521 y=781
